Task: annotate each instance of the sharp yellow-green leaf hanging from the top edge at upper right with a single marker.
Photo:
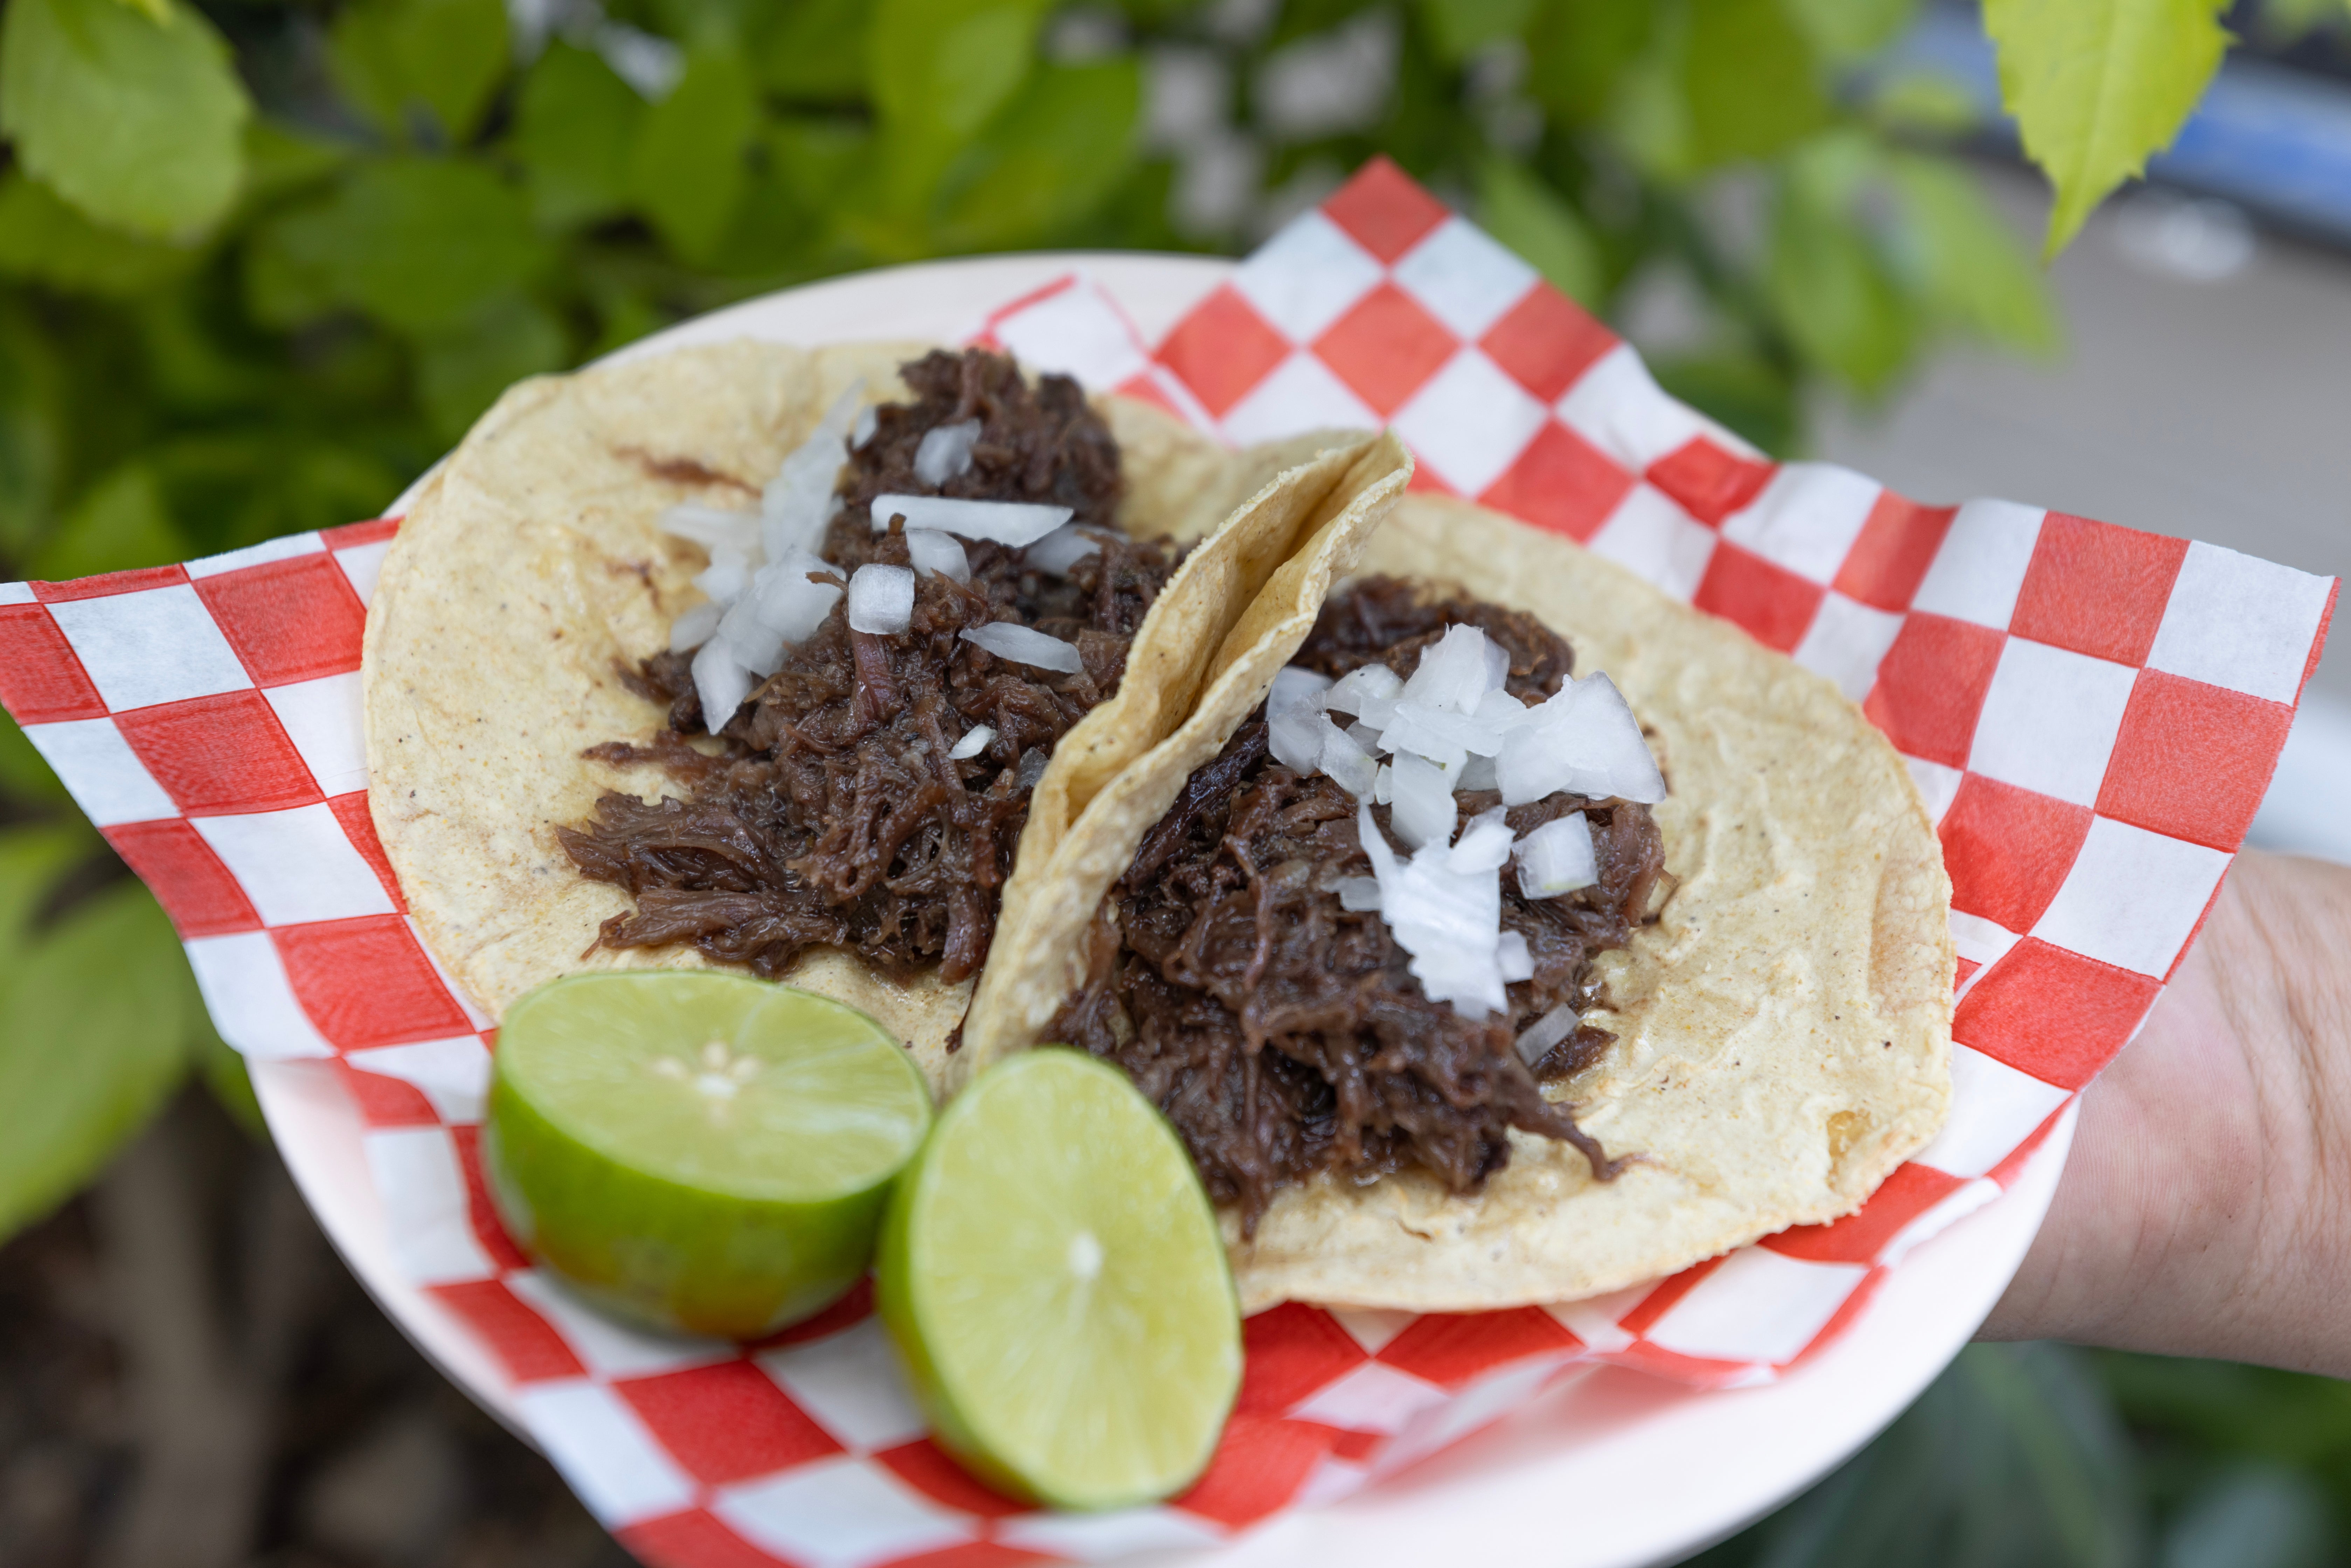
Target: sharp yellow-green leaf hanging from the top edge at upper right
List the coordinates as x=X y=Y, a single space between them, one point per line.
x=2098 y=86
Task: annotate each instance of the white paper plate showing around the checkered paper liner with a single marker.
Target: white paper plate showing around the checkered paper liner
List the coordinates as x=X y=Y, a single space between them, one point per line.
x=1645 y=1470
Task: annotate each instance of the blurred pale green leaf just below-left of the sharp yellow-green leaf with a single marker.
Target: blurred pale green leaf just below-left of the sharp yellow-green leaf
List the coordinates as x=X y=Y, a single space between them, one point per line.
x=1971 y=267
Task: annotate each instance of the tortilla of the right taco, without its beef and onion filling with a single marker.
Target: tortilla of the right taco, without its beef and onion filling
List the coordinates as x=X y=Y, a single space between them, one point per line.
x=1783 y=1031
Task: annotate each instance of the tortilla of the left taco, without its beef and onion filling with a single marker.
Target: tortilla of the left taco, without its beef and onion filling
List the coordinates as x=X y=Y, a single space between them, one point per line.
x=535 y=563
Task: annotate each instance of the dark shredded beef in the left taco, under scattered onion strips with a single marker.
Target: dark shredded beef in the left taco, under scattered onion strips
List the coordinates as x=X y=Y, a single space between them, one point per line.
x=831 y=812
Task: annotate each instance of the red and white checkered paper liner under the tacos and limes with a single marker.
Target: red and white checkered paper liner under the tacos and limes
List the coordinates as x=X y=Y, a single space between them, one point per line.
x=2091 y=716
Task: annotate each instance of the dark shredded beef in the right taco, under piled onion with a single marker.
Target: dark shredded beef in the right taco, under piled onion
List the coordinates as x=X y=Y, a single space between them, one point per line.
x=1285 y=1036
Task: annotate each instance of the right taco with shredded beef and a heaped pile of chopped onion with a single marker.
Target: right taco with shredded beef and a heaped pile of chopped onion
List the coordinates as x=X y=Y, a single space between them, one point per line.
x=1503 y=932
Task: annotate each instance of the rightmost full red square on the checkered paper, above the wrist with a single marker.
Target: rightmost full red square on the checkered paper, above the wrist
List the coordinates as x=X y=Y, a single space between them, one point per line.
x=2192 y=760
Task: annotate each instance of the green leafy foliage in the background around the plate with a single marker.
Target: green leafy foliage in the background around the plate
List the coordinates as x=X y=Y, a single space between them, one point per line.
x=264 y=260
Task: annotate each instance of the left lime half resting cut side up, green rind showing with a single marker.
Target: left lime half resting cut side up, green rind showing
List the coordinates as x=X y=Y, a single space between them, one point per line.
x=699 y=1151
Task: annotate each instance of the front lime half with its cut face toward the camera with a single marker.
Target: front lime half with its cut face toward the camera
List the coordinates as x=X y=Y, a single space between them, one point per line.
x=1057 y=1289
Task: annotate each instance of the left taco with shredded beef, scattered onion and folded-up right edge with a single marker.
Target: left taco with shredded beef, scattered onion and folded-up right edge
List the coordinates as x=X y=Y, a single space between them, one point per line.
x=775 y=659
